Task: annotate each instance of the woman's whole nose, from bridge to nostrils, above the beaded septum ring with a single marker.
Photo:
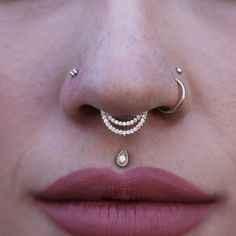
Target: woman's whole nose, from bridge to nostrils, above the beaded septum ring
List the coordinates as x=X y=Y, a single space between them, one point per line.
x=126 y=70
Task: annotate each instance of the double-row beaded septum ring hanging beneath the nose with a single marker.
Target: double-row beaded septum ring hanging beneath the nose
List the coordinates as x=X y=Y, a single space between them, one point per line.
x=133 y=125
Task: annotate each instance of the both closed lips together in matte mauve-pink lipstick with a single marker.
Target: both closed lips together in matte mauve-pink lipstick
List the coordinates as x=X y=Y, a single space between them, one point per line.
x=140 y=201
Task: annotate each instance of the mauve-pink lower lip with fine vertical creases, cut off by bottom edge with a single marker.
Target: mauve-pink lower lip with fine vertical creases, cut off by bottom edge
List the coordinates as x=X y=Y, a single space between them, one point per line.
x=105 y=218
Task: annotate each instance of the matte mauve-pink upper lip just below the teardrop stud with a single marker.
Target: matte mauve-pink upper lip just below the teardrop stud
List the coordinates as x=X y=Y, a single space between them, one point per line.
x=138 y=184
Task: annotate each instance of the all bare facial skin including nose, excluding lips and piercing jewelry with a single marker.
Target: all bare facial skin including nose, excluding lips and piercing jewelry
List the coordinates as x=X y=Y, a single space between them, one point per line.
x=125 y=50
